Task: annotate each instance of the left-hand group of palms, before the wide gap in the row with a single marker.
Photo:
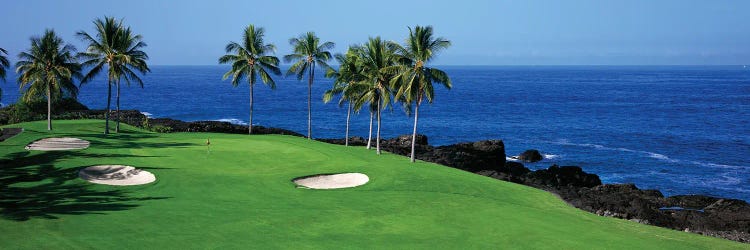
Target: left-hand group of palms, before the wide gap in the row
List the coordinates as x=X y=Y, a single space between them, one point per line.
x=50 y=66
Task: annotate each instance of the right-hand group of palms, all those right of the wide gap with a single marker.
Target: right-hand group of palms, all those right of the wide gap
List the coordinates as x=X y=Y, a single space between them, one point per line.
x=375 y=75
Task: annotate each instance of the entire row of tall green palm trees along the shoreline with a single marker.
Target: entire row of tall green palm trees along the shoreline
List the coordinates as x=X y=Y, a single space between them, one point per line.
x=375 y=75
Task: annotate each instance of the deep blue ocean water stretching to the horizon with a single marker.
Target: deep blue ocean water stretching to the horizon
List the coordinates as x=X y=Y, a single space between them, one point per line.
x=682 y=129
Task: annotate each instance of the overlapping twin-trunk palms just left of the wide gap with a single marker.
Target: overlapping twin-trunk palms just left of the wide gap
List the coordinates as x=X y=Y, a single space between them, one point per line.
x=119 y=50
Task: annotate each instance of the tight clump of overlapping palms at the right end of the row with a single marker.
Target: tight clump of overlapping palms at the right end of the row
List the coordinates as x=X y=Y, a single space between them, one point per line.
x=392 y=72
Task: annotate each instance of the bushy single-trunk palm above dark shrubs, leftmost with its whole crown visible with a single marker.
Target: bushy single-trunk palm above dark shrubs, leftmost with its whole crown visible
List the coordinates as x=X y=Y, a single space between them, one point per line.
x=47 y=69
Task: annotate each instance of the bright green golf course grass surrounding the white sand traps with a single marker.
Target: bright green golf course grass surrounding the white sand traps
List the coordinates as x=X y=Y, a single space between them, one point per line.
x=240 y=195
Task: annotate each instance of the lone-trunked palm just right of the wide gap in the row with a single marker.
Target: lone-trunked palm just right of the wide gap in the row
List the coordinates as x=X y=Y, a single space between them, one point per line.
x=250 y=60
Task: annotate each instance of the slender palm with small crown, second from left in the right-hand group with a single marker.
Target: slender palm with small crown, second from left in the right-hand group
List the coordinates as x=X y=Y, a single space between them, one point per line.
x=308 y=51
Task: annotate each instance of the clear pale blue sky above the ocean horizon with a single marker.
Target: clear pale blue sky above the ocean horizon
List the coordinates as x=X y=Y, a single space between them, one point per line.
x=523 y=32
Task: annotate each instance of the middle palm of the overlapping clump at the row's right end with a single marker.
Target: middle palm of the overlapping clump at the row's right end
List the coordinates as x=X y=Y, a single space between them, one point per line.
x=377 y=57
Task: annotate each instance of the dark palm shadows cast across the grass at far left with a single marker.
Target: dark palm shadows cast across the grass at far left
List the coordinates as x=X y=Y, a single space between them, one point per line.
x=32 y=187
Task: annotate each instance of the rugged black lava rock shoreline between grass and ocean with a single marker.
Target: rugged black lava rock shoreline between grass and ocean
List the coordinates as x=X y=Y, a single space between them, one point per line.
x=712 y=216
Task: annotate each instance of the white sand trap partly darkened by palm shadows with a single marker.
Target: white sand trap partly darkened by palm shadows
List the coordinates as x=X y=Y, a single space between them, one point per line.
x=116 y=175
